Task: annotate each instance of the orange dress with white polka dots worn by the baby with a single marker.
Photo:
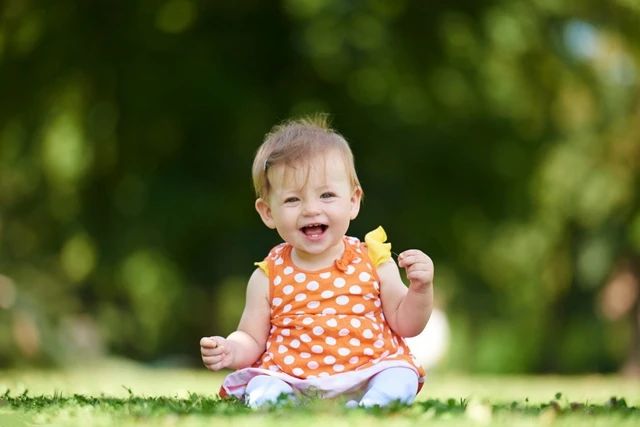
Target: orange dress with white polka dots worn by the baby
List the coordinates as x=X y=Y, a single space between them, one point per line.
x=328 y=331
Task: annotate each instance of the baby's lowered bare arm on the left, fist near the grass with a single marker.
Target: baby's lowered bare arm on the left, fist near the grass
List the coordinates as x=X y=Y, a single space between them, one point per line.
x=245 y=345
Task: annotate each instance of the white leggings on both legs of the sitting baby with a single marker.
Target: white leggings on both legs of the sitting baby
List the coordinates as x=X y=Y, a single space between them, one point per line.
x=388 y=386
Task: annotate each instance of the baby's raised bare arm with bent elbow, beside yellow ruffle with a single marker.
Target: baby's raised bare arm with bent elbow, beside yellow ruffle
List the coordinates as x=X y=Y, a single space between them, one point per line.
x=407 y=310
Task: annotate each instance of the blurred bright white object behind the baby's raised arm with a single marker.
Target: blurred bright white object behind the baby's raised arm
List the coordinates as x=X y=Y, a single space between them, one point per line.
x=430 y=346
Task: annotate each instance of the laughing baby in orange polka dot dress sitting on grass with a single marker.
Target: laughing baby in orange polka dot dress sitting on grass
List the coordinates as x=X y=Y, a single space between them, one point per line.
x=325 y=314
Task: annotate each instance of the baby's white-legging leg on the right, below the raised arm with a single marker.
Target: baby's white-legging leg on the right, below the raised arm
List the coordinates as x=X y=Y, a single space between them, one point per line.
x=391 y=385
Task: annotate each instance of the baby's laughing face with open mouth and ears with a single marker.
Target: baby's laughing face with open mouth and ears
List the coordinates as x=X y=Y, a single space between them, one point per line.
x=312 y=204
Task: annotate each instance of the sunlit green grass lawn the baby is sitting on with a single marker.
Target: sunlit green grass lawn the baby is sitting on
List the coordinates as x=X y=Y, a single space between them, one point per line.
x=125 y=394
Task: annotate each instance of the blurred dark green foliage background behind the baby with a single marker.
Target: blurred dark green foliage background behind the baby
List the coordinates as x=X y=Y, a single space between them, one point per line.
x=502 y=137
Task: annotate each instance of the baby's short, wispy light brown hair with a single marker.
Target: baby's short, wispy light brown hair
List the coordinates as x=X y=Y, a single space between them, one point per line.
x=297 y=141
